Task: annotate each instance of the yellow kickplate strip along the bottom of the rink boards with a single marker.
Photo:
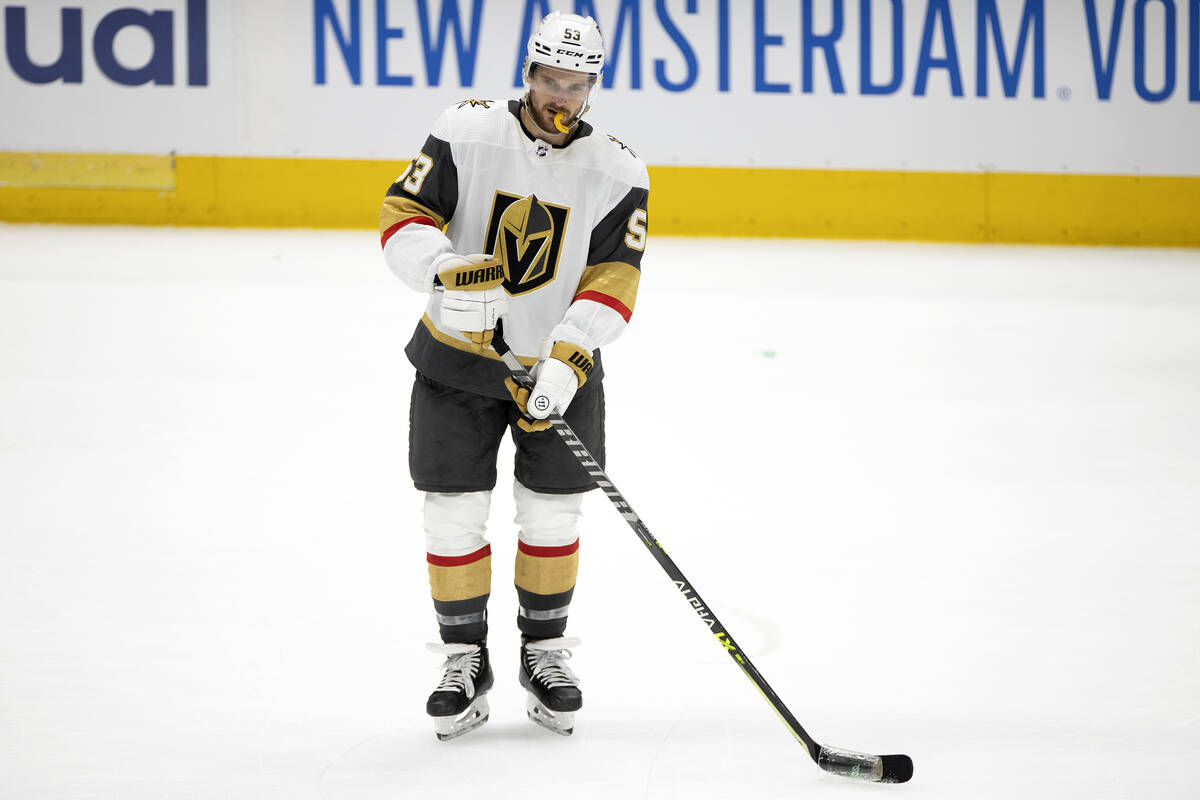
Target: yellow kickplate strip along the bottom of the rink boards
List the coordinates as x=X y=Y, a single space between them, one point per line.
x=735 y=202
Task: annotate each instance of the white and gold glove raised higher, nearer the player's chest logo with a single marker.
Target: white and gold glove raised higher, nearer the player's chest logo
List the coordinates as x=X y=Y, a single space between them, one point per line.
x=475 y=297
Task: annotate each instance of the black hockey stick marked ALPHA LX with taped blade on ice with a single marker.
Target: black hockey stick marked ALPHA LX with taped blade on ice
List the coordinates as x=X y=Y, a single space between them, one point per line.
x=881 y=769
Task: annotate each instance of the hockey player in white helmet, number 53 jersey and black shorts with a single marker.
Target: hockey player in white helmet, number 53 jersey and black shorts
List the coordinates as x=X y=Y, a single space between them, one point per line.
x=521 y=212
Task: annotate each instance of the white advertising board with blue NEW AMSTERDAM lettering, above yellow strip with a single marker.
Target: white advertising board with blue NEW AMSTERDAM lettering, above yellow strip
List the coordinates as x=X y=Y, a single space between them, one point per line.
x=1109 y=87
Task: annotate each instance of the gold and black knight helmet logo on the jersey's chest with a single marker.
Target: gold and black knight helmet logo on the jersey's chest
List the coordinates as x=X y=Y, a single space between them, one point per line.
x=527 y=236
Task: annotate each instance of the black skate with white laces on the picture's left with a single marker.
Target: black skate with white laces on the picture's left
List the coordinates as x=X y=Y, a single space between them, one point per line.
x=459 y=705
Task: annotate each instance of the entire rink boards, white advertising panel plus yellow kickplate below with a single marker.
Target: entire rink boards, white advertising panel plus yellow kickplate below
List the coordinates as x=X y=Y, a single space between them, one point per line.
x=947 y=121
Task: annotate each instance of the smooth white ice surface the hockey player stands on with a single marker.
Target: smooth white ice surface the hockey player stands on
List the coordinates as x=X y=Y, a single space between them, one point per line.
x=946 y=498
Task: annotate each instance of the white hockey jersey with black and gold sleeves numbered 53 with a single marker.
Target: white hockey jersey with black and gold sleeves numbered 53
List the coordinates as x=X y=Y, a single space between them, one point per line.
x=572 y=222
